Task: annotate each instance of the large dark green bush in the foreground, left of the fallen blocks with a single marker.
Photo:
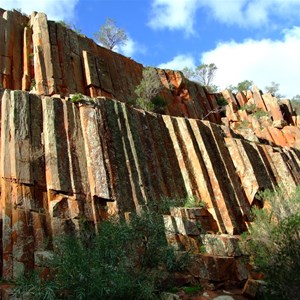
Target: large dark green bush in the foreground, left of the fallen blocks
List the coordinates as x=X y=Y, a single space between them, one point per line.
x=124 y=261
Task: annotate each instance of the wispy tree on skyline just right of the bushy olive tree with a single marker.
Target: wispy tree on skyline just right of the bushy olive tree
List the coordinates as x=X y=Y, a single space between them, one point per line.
x=204 y=74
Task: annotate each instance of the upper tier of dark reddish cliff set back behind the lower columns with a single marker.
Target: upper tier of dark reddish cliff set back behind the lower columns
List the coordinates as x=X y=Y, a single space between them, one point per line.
x=48 y=58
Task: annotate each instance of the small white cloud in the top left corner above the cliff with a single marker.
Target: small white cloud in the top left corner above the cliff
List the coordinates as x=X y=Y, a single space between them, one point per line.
x=55 y=9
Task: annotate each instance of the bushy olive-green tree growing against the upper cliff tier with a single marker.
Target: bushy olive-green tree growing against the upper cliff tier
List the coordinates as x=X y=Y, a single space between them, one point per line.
x=148 y=90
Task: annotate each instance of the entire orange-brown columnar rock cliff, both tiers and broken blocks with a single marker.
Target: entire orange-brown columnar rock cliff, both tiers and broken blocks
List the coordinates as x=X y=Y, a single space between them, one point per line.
x=62 y=161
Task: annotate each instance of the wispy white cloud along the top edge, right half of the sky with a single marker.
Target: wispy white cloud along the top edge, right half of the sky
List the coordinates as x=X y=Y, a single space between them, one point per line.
x=181 y=14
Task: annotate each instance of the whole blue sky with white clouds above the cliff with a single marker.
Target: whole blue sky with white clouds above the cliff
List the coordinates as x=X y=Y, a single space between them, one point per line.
x=257 y=40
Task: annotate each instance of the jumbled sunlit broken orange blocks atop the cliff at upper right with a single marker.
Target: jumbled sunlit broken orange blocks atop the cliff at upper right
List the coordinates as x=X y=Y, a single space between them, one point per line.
x=263 y=118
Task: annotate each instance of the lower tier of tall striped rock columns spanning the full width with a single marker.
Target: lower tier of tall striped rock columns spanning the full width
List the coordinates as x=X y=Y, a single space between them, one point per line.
x=62 y=161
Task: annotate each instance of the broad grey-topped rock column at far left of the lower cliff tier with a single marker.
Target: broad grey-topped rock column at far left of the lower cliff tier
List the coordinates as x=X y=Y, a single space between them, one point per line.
x=22 y=196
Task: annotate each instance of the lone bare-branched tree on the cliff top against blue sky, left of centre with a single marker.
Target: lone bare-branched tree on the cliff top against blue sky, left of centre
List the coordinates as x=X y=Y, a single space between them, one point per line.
x=109 y=35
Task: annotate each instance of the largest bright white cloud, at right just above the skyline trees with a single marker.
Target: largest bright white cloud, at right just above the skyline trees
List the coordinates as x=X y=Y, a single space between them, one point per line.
x=262 y=61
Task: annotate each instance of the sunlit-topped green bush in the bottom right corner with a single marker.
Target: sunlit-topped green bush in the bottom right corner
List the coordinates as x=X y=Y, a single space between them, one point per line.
x=274 y=243
